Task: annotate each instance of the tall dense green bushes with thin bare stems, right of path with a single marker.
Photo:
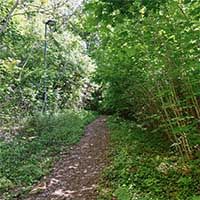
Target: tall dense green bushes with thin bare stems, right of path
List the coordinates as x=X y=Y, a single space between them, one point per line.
x=148 y=64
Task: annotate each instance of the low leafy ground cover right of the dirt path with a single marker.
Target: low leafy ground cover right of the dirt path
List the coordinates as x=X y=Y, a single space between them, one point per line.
x=143 y=167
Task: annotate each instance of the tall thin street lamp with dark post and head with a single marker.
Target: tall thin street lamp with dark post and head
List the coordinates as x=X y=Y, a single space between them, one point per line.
x=50 y=23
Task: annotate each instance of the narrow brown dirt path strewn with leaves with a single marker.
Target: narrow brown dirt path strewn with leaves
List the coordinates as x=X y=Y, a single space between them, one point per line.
x=76 y=175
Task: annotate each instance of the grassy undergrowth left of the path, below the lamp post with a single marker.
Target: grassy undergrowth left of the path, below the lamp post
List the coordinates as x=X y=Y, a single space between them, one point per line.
x=31 y=155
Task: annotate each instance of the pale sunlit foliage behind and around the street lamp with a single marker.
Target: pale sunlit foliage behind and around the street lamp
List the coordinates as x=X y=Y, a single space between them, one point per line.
x=22 y=70
